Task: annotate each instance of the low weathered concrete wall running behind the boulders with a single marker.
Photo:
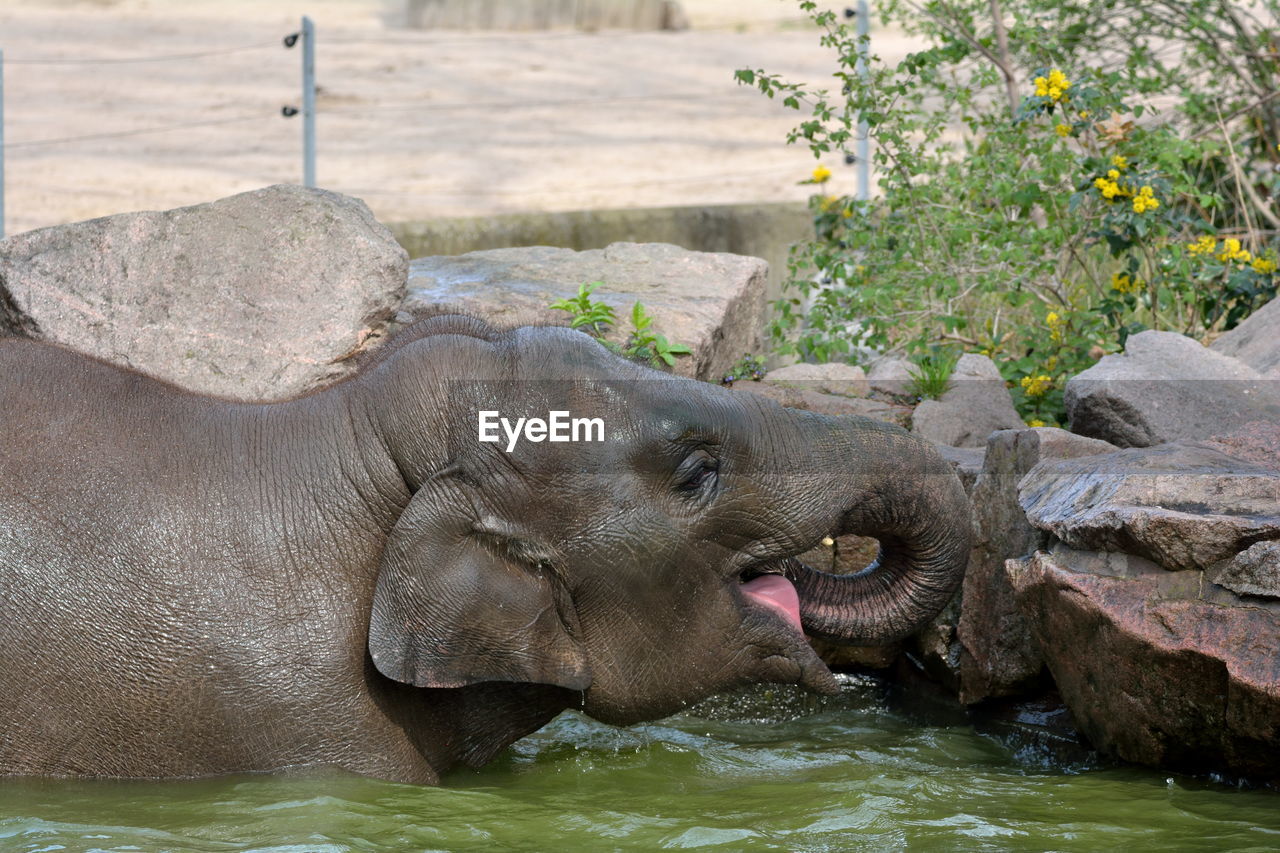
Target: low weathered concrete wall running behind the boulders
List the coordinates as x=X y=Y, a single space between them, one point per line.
x=762 y=231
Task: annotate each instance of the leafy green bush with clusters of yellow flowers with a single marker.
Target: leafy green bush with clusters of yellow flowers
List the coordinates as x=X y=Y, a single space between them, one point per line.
x=1032 y=204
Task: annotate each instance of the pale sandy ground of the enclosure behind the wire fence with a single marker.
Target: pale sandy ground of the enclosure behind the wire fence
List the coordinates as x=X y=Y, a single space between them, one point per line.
x=419 y=125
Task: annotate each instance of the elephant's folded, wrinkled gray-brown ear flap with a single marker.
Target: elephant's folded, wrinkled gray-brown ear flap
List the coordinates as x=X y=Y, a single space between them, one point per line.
x=460 y=601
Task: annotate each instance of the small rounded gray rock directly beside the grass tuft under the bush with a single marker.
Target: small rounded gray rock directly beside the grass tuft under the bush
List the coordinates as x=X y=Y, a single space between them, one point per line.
x=976 y=405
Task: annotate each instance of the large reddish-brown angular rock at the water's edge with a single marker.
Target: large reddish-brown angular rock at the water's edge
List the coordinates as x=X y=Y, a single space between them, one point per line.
x=1153 y=672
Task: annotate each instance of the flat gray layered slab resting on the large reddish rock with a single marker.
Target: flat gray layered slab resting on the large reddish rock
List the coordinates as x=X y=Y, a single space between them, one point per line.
x=1182 y=505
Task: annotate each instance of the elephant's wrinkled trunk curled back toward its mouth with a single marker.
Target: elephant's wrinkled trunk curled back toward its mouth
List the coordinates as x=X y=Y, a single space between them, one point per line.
x=895 y=487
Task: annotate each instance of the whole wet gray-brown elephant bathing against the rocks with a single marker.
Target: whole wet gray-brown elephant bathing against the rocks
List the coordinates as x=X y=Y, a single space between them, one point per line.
x=193 y=587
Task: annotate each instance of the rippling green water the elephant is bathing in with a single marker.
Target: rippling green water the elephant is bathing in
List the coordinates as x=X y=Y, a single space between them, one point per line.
x=853 y=774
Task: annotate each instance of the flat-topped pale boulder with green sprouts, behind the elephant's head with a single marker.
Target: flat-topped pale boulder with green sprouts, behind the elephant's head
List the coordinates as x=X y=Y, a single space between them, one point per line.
x=712 y=303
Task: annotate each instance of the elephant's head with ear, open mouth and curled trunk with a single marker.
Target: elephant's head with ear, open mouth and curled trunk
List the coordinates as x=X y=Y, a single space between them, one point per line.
x=651 y=568
